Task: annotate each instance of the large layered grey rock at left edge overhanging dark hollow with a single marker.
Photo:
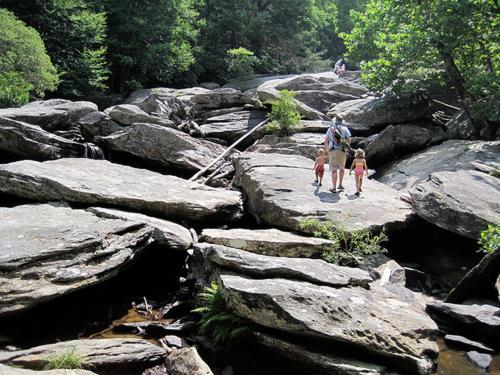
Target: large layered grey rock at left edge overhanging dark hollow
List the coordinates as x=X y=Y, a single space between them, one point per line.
x=52 y=251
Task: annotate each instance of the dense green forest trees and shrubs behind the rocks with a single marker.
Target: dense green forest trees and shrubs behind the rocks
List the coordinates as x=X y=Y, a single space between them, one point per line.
x=84 y=48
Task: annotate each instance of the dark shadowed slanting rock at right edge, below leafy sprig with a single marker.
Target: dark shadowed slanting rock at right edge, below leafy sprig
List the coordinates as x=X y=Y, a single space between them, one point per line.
x=480 y=280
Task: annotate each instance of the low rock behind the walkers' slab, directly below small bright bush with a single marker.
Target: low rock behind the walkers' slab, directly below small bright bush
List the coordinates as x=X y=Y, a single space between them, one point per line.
x=303 y=144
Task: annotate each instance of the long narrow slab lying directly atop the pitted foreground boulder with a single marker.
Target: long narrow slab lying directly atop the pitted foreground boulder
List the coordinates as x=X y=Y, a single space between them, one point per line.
x=315 y=271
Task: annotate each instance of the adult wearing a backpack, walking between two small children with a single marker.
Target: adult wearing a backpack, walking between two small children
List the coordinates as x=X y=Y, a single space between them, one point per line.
x=337 y=141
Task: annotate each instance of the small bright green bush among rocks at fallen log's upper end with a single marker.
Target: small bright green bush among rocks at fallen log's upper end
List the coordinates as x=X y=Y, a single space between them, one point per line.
x=284 y=114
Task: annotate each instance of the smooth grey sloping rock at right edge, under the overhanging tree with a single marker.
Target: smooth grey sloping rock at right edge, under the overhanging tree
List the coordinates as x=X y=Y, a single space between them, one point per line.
x=448 y=156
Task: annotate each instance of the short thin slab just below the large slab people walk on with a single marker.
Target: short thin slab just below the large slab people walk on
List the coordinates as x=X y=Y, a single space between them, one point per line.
x=267 y=242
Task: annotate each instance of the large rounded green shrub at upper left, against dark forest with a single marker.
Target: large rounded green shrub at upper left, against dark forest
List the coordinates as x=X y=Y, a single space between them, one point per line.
x=23 y=51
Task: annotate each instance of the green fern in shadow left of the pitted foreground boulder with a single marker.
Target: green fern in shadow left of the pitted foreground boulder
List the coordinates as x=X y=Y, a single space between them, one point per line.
x=219 y=324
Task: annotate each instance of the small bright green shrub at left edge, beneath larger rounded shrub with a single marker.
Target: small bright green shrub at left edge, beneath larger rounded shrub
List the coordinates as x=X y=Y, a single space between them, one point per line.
x=14 y=90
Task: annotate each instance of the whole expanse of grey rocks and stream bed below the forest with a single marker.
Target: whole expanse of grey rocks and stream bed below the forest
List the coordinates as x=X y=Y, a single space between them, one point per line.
x=105 y=242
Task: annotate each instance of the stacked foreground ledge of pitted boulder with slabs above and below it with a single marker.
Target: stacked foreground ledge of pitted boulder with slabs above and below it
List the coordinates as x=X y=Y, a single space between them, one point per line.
x=314 y=311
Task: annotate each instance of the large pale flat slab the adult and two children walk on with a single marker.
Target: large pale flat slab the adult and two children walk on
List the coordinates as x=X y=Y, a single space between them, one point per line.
x=281 y=193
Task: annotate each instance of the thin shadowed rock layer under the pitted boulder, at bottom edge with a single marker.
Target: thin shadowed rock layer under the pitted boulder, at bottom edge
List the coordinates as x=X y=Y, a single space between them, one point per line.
x=314 y=359
